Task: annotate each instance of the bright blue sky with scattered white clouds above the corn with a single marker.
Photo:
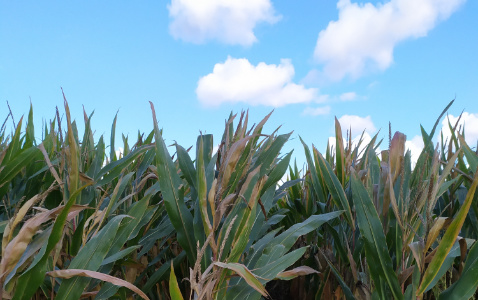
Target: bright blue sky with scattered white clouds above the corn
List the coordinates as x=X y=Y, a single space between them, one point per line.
x=367 y=63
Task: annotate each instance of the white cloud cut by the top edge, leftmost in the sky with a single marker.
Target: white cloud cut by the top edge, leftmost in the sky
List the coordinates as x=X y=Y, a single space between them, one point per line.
x=230 y=22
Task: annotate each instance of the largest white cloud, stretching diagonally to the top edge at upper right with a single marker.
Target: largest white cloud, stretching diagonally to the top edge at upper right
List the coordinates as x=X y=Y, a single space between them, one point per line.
x=365 y=35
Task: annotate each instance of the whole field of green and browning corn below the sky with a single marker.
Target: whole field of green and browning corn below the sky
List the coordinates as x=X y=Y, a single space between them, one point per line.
x=160 y=222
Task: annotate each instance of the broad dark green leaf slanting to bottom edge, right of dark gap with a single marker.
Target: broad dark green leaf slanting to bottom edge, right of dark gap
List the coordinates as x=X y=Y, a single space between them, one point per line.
x=379 y=260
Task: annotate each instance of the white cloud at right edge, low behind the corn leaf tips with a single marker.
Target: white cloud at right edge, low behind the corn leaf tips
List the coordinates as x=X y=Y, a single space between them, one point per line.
x=470 y=123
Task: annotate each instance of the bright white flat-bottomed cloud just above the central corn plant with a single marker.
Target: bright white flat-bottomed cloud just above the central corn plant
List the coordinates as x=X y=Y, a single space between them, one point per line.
x=237 y=80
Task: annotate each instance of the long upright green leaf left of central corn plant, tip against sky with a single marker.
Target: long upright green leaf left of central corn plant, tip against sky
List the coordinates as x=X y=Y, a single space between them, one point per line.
x=173 y=197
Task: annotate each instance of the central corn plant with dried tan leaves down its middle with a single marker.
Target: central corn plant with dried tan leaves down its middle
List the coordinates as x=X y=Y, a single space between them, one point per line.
x=231 y=195
